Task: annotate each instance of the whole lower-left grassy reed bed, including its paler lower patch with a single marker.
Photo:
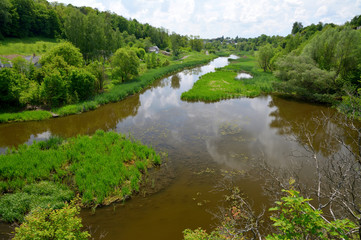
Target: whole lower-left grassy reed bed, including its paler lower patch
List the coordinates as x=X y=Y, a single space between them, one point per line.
x=103 y=168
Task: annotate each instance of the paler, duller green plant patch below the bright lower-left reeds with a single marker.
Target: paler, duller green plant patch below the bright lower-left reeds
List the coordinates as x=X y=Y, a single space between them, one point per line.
x=14 y=206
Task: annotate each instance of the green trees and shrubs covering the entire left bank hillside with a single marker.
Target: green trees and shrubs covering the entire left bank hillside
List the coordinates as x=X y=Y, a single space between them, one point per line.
x=79 y=68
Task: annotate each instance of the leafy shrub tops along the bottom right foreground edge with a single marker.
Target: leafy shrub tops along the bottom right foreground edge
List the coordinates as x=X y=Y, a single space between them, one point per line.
x=295 y=219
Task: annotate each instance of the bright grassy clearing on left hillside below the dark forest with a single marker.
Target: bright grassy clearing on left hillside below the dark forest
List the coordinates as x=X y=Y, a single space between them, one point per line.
x=26 y=46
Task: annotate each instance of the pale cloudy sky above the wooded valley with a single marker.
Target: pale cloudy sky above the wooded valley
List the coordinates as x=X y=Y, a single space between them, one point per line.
x=228 y=18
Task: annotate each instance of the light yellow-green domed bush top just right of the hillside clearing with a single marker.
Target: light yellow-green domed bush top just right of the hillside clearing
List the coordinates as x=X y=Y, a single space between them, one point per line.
x=67 y=51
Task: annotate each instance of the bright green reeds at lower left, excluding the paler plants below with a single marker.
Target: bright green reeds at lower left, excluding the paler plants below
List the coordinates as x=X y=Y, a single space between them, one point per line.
x=102 y=166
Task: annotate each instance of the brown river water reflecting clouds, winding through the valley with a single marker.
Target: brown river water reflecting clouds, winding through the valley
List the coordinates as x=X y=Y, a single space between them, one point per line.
x=204 y=141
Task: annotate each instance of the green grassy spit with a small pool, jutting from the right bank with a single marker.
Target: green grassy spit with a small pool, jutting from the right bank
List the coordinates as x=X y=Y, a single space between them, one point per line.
x=223 y=84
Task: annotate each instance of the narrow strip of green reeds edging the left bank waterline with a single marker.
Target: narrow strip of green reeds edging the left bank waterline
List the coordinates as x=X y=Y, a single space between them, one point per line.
x=116 y=93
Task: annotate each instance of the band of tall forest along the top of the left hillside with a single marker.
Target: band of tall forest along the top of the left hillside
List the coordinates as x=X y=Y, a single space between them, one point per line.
x=96 y=33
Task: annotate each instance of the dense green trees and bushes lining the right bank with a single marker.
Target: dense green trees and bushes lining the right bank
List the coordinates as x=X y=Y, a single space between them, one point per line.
x=317 y=63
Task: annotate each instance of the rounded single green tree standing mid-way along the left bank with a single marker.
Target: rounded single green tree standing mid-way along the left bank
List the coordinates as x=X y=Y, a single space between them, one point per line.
x=125 y=64
